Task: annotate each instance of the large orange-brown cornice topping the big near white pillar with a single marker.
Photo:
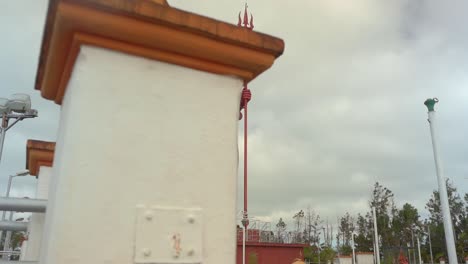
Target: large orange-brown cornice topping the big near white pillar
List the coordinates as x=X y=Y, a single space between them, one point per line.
x=148 y=29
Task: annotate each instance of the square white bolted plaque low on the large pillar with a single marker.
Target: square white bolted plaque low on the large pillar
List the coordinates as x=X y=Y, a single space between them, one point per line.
x=168 y=235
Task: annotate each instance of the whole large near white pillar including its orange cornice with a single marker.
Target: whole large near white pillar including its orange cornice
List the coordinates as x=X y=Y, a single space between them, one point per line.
x=145 y=164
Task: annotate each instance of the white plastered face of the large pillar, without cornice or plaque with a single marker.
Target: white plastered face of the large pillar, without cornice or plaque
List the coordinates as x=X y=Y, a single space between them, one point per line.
x=141 y=132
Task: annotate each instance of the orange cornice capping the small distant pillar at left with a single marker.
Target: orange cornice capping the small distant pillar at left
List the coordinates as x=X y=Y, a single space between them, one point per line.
x=39 y=153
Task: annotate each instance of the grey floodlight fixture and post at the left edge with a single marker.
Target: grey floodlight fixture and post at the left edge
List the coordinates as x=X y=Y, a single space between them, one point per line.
x=17 y=107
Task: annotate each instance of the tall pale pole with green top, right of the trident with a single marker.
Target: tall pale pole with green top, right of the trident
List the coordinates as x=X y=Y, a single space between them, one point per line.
x=448 y=228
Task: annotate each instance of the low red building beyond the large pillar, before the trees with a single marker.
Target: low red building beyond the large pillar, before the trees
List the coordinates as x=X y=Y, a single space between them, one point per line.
x=260 y=252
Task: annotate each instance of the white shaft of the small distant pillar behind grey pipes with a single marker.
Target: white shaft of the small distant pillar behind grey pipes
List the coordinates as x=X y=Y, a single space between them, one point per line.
x=31 y=248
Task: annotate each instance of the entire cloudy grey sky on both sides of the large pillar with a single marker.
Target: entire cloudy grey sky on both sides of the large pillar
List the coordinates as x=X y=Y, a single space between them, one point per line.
x=341 y=109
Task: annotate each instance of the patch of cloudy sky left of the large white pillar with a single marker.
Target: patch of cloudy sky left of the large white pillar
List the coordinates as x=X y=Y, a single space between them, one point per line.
x=21 y=26
